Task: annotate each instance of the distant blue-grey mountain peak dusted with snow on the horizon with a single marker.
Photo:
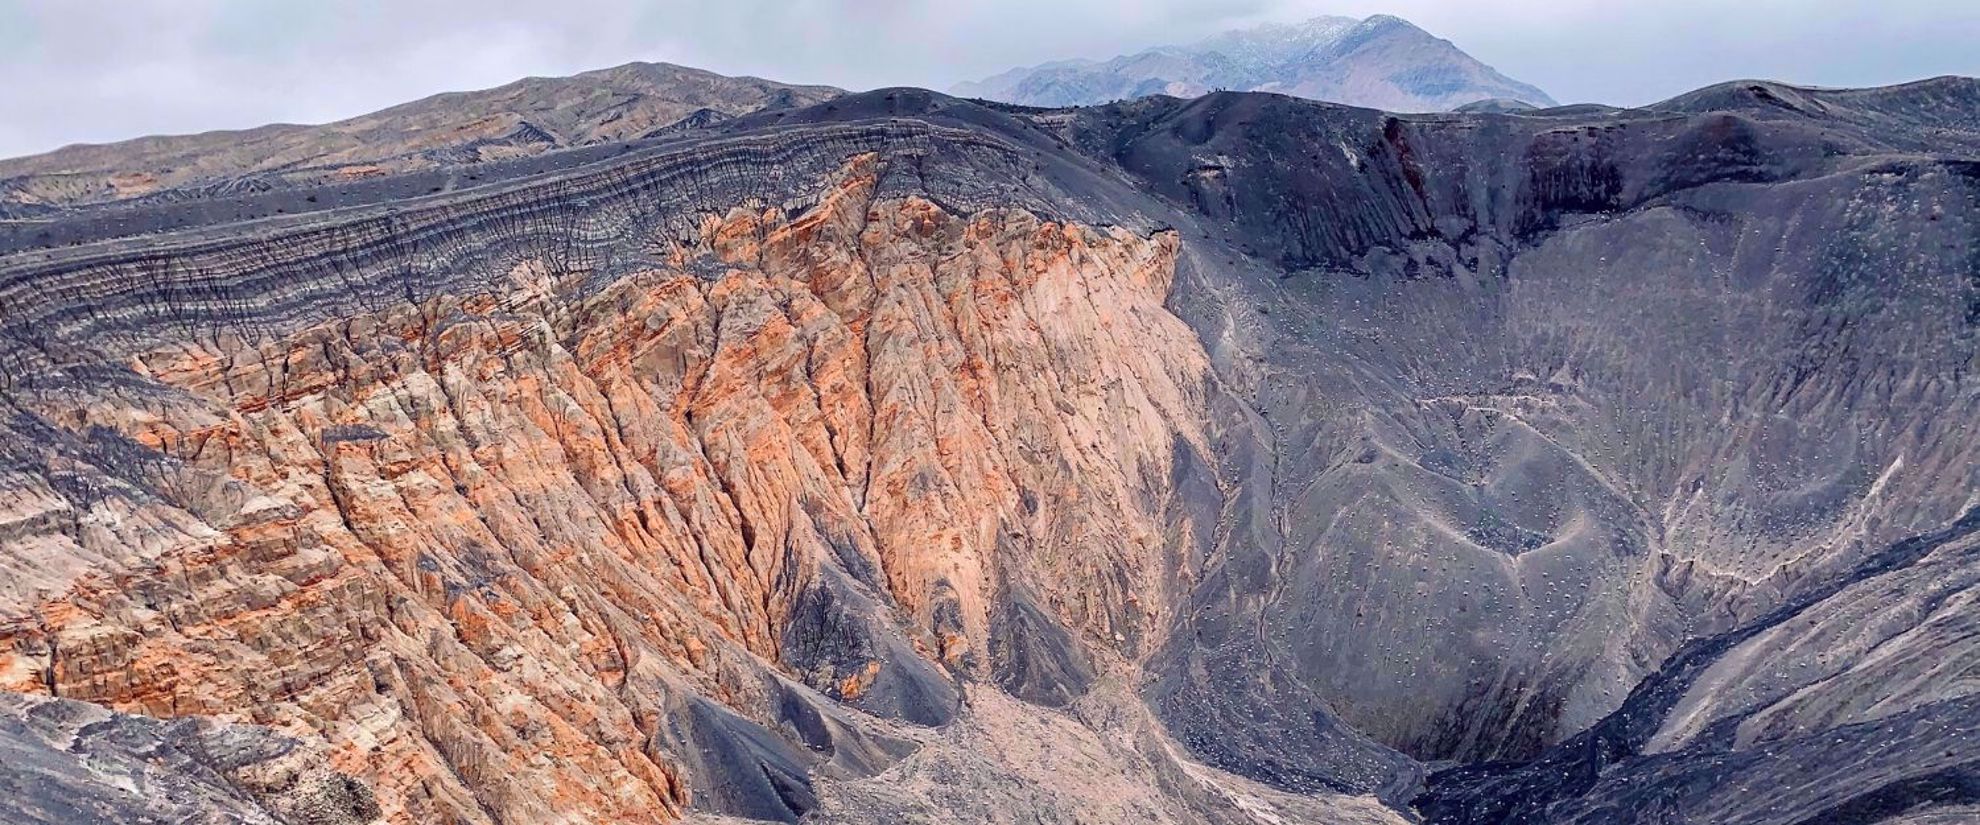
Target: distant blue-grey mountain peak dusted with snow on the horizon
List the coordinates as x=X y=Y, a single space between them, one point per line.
x=1381 y=62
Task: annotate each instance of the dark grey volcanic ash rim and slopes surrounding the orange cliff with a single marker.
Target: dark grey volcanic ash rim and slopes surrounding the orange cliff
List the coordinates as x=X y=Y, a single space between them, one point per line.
x=1613 y=454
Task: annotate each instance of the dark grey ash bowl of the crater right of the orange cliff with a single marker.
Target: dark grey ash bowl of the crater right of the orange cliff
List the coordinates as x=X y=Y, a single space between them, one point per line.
x=1553 y=399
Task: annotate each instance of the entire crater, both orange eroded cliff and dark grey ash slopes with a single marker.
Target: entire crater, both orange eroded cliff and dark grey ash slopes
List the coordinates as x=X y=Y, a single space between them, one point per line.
x=1235 y=460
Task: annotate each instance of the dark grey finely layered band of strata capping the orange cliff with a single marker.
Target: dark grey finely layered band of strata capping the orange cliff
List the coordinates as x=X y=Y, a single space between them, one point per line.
x=278 y=276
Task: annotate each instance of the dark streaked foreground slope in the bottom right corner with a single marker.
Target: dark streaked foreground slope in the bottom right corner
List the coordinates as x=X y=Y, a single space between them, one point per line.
x=1906 y=755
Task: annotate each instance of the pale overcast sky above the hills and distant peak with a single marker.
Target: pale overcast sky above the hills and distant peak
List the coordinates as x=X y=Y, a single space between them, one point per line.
x=108 y=70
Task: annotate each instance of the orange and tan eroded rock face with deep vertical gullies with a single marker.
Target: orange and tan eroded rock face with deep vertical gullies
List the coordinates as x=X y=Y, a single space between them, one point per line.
x=498 y=547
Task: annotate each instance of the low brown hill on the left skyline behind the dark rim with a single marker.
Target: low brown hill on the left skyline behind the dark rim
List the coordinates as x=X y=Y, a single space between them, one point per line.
x=526 y=118
